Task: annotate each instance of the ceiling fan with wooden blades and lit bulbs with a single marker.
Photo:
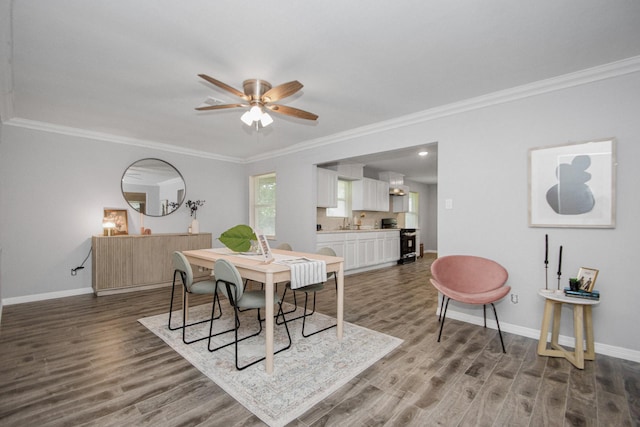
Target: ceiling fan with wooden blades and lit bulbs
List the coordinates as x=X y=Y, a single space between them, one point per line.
x=259 y=95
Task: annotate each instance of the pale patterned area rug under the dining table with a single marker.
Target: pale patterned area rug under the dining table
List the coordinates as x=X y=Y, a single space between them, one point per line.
x=304 y=375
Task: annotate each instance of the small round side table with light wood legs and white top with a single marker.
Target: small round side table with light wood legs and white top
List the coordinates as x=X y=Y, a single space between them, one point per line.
x=582 y=325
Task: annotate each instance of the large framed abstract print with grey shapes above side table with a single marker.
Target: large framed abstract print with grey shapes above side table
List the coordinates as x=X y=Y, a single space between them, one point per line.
x=573 y=185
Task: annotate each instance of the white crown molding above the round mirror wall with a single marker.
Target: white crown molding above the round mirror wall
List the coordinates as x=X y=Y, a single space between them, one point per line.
x=106 y=137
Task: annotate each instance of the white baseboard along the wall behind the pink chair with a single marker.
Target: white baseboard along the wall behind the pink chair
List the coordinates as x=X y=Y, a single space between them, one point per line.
x=605 y=349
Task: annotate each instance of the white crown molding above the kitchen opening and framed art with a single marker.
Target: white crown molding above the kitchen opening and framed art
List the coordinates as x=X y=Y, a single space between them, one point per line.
x=590 y=75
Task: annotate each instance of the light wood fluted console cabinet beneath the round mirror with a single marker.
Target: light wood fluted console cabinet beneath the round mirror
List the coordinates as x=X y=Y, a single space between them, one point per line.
x=127 y=263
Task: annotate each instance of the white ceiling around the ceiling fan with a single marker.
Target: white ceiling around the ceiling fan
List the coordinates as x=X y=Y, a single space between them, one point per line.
x=129 y=68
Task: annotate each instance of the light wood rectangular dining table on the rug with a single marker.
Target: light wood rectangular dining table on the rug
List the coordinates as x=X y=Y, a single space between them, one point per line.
x=253 y=268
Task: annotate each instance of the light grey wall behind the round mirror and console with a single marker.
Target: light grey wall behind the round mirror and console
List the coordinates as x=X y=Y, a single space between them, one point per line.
x=54 y=190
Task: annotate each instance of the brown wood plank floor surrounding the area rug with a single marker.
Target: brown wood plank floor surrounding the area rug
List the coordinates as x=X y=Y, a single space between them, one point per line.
x=87 y=361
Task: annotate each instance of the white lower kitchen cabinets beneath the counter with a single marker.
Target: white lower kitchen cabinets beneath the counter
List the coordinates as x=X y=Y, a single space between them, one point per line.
x=363 y=249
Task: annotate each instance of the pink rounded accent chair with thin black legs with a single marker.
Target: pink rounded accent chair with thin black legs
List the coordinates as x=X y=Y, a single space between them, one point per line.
x=471 y=280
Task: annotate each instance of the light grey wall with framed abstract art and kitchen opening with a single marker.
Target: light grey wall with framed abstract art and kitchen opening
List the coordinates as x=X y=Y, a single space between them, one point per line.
x=483 y=155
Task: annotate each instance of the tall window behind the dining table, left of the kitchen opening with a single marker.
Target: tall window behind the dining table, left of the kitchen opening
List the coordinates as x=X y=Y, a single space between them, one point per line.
x=263 y=204
